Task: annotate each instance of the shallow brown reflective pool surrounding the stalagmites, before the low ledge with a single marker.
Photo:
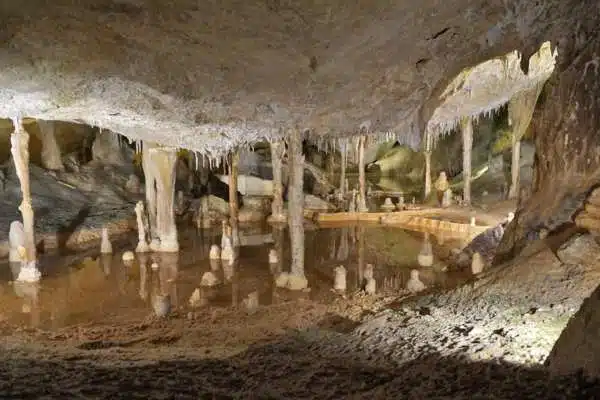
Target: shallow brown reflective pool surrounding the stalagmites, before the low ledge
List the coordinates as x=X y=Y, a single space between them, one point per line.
x=104 y=288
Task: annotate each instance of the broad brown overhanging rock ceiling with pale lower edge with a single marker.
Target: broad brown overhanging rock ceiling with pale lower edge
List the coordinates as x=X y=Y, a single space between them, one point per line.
x=207 y=75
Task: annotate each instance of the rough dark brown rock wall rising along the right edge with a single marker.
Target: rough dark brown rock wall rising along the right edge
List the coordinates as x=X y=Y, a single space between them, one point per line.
x=566 y=128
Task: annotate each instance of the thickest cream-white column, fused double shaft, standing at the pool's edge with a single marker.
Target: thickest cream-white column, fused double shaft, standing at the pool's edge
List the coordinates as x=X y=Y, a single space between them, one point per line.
x=163 y=161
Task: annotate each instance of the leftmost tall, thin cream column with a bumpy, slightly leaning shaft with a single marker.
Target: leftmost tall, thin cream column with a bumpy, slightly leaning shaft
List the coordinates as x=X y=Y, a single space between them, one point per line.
x=20 y=152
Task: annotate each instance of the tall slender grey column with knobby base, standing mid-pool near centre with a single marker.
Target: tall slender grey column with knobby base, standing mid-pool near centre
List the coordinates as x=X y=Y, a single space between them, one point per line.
x=297 y=280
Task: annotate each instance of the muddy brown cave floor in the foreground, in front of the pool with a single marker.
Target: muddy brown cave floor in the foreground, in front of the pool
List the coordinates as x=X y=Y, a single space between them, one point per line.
x=486 y=338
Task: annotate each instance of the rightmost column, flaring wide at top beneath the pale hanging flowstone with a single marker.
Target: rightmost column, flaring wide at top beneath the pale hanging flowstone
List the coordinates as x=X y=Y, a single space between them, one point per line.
x=520 y=111
